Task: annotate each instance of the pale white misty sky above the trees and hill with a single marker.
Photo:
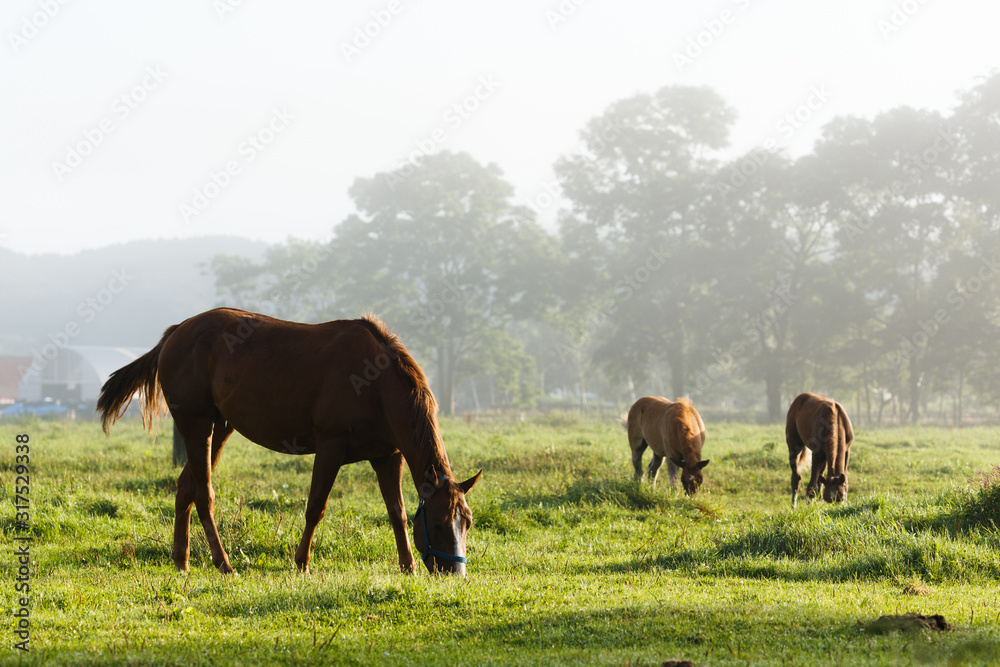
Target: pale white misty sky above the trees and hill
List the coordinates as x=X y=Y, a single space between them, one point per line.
x=127 y=120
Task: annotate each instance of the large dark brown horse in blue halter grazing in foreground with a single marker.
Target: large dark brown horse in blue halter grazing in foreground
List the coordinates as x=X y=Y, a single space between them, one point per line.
x=346 y=390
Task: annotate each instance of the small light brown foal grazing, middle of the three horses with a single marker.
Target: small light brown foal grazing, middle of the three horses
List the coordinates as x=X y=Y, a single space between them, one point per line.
x=675 y=432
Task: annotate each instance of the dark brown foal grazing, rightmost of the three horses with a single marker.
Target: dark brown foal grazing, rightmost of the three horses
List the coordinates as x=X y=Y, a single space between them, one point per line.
x=820 y=425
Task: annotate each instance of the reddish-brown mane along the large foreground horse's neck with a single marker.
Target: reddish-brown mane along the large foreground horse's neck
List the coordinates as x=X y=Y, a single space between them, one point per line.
x=425 y=407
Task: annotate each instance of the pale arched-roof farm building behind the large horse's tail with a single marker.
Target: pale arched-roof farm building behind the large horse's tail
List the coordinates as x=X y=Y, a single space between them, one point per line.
x=75 y=375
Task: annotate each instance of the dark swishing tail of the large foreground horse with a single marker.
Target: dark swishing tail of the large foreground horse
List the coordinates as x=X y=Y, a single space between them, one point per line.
x=121 y=386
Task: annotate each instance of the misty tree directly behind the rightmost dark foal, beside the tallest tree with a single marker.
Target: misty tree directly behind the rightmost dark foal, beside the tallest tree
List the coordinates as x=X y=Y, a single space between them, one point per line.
x=771 y=287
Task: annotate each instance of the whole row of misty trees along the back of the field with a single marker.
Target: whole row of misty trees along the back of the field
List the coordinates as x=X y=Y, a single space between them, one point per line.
x=867 y=268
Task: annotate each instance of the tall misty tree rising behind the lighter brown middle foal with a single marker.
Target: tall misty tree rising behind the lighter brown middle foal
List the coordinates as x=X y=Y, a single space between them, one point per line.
x=637 y=190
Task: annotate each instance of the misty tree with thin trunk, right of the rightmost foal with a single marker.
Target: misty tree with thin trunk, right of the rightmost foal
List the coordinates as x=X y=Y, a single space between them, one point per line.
x=892 y=179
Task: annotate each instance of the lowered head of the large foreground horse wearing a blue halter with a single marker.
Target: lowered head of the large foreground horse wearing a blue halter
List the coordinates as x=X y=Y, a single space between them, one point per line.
x=441 y=523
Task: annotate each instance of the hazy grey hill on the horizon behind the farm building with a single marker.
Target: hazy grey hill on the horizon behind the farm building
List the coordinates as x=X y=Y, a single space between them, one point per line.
x=124 y=294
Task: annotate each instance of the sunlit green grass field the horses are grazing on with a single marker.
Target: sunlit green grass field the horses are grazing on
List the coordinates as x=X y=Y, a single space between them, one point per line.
x=570 y=562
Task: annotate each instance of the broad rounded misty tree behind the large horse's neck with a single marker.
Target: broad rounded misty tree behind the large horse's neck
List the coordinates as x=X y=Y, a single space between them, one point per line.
x=438 y=248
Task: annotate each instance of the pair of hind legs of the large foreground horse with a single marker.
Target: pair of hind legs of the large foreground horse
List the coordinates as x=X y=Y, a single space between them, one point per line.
x=194 y=487
